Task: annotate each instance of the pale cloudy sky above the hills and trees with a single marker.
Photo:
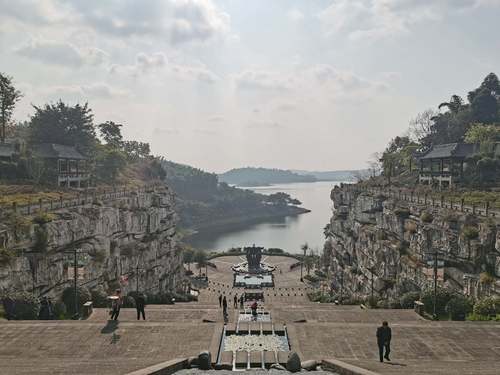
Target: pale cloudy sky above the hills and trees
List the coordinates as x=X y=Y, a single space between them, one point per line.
x=219 y=84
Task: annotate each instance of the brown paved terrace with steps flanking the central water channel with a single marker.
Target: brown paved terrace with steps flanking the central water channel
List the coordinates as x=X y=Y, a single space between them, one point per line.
x=341 y=332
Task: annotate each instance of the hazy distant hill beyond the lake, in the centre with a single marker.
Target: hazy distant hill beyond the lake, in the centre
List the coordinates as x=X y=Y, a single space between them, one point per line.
x=262 y=176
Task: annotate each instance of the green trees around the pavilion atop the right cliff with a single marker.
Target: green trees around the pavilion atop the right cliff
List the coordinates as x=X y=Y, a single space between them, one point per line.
x=475 y=121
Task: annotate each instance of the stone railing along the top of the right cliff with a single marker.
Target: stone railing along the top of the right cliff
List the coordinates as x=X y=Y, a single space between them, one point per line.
x=408 y=195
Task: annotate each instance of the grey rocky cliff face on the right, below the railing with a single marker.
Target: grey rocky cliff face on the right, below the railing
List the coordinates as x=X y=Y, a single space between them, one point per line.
x=393 y=242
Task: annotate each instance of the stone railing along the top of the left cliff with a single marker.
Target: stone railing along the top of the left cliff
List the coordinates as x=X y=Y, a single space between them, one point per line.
x=80 y=198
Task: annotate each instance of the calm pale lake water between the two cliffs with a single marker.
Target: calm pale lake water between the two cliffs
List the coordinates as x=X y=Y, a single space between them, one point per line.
x=287 y=233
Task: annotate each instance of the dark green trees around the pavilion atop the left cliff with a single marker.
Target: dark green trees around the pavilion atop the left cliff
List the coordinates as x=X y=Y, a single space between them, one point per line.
x=108 y=154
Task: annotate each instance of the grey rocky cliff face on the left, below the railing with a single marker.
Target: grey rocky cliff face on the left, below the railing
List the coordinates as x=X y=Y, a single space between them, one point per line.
x=121 y=242
